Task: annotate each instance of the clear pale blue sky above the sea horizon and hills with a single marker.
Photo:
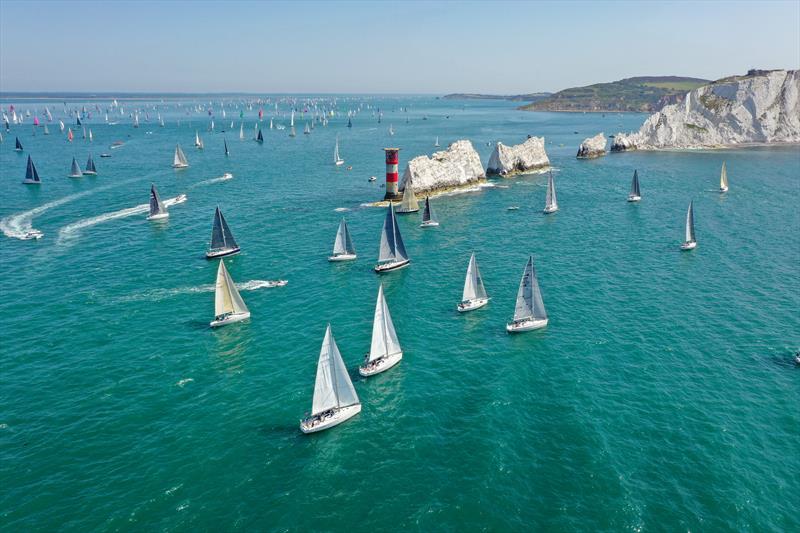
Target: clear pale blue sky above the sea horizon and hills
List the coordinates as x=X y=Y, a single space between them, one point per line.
x=389 y=47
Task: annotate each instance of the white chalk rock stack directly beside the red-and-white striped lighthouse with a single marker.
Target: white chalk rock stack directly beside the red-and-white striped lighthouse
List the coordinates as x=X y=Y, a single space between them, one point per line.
x=458 y=166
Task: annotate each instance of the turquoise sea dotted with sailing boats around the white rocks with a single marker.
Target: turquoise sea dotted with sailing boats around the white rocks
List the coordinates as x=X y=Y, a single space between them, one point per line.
x=661 y=397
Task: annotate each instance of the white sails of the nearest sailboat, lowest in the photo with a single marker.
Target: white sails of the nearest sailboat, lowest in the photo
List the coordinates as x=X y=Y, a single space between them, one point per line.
x=332 y=388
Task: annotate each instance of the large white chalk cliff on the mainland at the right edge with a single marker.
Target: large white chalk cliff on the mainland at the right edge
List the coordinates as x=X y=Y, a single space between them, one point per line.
x=761 y=107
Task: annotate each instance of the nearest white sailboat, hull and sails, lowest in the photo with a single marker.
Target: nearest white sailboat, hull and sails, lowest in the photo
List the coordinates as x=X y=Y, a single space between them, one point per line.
x=335 y=399
